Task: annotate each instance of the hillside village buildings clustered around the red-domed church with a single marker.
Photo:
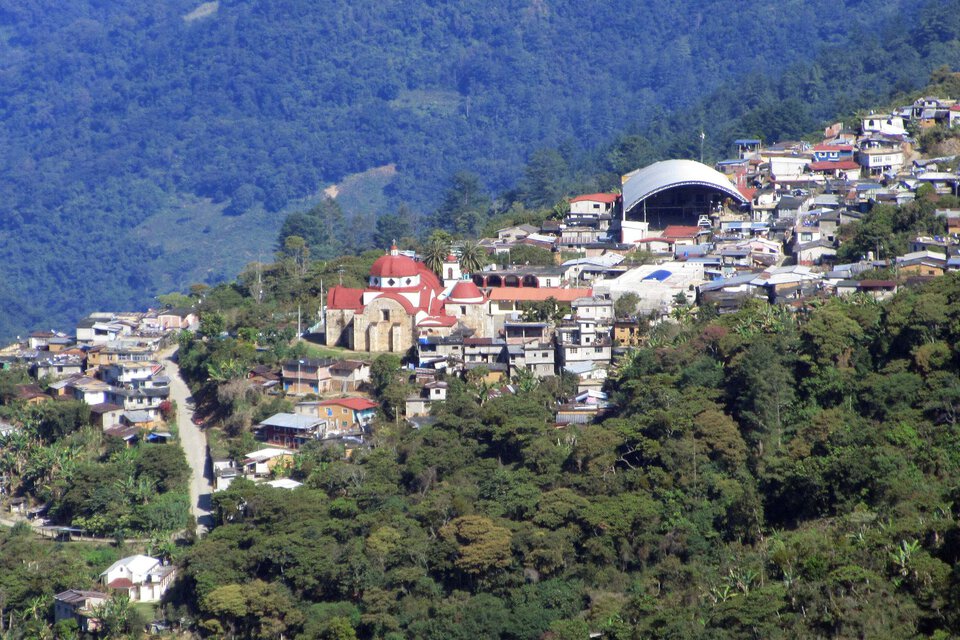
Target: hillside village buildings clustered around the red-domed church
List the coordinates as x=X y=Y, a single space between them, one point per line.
x=764 y=225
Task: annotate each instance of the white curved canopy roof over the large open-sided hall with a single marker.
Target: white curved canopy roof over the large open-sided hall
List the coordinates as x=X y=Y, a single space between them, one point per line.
x=668 y=174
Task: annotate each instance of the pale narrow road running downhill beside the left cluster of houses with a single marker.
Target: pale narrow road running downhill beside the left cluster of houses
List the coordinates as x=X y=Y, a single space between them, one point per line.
x=194 y=443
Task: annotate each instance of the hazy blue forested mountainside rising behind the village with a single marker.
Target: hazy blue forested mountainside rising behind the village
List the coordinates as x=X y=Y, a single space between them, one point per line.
x=150 y=145
